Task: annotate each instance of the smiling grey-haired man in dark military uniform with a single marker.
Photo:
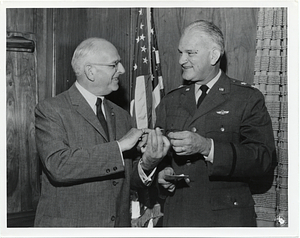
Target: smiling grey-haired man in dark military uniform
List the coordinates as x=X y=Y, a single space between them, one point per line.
x=221 y=136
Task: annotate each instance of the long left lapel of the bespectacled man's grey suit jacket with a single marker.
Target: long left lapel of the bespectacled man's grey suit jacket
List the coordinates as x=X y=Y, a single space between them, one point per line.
x=84 y=109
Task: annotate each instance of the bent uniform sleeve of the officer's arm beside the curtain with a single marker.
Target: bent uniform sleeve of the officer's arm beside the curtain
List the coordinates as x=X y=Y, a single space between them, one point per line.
x=255 y=151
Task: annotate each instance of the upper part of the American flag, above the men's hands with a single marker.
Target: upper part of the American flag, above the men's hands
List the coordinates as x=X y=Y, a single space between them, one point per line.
x=147 y=83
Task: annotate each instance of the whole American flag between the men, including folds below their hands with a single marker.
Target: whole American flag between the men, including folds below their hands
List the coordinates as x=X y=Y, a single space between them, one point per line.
x=146 y=92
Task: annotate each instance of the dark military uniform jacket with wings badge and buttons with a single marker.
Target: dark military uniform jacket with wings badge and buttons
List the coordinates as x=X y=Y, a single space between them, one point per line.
x=234 y=115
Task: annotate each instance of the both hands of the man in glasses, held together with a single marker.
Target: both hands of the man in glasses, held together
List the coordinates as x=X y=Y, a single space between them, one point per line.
x=153 y=144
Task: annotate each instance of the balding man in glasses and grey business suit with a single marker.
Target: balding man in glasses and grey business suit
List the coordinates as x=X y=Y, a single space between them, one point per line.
x=87 y=146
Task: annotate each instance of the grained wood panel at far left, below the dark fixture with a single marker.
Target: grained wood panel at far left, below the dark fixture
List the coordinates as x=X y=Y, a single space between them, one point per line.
x=22 y=159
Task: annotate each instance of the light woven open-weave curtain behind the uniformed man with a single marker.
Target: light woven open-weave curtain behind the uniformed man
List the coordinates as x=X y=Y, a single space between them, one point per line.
x=270 y=77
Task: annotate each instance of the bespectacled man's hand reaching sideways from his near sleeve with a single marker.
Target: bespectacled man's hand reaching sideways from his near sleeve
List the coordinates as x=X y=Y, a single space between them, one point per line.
x=132 y=137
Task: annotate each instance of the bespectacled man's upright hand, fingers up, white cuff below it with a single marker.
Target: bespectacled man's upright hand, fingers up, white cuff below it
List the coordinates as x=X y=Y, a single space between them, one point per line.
x=156 y=149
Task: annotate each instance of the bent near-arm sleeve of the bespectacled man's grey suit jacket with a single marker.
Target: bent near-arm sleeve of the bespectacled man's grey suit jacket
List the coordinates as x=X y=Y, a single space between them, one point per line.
x=66 y=164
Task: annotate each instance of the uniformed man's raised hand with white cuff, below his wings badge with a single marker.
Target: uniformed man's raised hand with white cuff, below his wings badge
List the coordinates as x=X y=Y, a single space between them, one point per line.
x=188 y=143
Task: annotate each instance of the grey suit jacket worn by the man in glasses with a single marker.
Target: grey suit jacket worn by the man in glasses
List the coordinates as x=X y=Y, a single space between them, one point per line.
x=84 y=182
